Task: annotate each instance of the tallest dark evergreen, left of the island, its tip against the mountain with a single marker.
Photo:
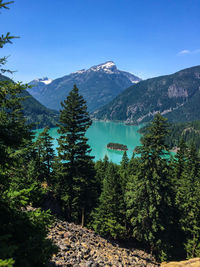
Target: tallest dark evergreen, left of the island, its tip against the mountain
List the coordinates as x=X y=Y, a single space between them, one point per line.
x=76 y=175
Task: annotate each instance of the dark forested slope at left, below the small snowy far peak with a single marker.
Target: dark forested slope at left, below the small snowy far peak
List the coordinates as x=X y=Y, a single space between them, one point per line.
x=35 y=112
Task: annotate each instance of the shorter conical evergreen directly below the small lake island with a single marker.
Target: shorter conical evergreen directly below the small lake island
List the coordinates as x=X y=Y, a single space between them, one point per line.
x=109 y=217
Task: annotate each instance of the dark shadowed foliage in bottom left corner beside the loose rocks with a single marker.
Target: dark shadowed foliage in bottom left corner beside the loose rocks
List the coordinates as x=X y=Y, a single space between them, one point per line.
x=23 y=236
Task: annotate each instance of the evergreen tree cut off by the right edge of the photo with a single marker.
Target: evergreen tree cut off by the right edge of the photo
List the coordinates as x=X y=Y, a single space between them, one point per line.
x=188 y=201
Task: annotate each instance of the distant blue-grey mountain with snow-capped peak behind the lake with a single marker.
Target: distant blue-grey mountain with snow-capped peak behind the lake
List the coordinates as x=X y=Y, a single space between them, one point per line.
x=98 y=85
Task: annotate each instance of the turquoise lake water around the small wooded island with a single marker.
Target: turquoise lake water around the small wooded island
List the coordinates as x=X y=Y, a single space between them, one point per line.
x=102 y=133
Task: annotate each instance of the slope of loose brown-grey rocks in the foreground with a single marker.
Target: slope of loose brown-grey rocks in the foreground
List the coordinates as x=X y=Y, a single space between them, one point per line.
x=80 y=247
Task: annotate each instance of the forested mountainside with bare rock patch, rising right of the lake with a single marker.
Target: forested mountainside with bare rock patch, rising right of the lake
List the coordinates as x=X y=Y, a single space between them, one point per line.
x=175 y=96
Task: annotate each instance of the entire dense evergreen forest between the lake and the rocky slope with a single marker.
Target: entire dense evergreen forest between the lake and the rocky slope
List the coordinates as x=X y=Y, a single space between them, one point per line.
x=152 y=200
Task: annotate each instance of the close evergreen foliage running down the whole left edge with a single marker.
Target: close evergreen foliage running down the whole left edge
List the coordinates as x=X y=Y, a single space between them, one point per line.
x=22 y=233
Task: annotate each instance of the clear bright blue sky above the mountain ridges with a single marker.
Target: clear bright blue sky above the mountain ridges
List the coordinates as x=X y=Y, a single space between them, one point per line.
x=145 y=37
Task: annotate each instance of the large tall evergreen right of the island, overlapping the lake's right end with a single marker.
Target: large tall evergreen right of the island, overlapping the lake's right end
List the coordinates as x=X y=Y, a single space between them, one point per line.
x=149 y=194
